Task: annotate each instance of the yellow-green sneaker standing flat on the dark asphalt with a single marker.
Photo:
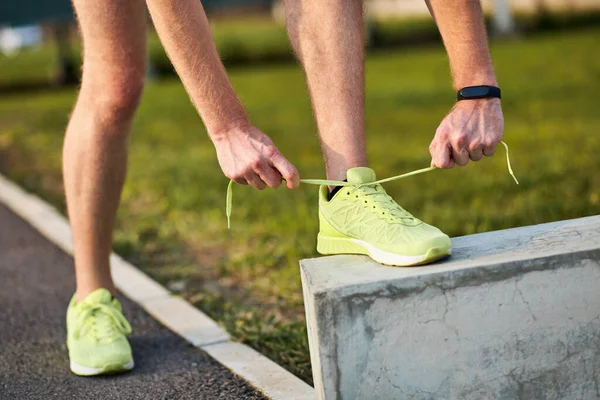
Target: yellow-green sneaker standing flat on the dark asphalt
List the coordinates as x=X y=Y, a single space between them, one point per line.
x=96 y=335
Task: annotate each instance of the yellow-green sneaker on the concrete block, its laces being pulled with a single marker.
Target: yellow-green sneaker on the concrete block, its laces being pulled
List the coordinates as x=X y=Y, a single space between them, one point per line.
x=364 y=219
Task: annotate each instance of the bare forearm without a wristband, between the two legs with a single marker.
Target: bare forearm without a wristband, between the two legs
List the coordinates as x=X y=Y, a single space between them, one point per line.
x=185 y=33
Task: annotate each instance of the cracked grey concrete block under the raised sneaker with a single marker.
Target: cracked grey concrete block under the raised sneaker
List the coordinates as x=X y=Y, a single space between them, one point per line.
x=512 y=314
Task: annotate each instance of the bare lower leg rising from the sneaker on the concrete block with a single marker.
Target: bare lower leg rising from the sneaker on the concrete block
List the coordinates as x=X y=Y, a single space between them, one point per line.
x=328 y=38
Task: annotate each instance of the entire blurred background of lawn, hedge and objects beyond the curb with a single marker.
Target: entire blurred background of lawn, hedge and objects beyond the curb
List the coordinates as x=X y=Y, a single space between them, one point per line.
x=172 y=222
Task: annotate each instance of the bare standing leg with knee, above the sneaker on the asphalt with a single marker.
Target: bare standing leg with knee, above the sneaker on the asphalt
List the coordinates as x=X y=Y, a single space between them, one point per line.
x=95 y=148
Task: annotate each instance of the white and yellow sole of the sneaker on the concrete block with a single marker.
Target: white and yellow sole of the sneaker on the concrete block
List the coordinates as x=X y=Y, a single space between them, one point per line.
x=330 y=246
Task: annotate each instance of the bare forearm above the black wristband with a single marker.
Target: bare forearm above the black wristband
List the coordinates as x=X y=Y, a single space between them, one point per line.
x=462 y=28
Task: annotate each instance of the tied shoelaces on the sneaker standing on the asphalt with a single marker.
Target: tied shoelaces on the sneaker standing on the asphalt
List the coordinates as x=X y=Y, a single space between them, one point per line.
x=100 y=332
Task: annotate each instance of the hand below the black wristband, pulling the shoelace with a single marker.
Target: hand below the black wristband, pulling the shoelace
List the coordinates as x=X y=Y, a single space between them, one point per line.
x=471 y=130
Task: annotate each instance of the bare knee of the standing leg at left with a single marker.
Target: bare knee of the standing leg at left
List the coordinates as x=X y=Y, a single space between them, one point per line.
x=114 y=101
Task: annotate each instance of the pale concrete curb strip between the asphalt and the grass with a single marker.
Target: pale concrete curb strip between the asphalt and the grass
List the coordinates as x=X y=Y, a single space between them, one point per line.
x=172 y=311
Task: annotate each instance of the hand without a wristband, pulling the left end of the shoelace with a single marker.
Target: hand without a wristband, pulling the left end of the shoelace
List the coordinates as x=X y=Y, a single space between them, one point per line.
x=248 y=156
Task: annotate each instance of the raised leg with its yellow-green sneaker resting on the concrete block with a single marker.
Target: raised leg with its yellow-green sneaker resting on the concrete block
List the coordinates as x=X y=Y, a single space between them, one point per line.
x=329 y=41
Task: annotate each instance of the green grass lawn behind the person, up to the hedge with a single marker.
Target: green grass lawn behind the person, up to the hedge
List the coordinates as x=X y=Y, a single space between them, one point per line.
x=172 y=222
